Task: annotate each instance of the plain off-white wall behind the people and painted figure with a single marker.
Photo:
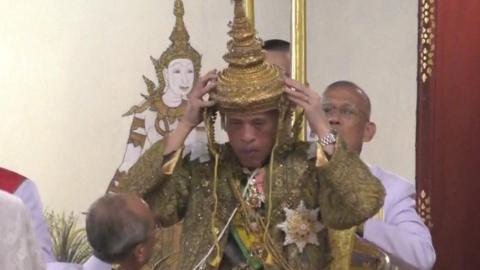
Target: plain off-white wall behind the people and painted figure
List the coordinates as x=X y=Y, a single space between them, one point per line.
x=70 y=69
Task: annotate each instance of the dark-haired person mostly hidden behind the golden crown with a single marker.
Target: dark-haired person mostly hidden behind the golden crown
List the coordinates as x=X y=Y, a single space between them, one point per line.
x=277 y=52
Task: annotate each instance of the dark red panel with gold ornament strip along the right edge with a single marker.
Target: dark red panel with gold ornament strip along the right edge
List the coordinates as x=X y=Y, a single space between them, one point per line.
x=448 y=129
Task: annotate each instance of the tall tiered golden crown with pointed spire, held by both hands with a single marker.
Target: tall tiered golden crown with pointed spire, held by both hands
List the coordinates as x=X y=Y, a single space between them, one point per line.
x=248 y=83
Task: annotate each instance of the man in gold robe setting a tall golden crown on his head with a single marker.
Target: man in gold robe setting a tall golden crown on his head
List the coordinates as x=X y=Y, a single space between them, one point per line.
x=260 y=202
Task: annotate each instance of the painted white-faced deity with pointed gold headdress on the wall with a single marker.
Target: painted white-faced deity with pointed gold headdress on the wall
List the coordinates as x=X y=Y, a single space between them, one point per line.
x=176 y=69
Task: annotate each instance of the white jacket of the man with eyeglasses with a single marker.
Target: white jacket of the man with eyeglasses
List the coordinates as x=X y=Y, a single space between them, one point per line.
x=401 y=233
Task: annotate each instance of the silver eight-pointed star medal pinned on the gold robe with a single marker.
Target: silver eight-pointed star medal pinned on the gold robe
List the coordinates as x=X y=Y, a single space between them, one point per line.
x=301 y=226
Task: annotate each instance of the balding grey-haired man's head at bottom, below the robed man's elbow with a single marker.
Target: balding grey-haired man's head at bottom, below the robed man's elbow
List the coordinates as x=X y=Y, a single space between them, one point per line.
x=121 y=230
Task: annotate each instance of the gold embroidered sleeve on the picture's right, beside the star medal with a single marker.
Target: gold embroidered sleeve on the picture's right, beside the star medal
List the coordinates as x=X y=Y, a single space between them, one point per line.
x=349 y=193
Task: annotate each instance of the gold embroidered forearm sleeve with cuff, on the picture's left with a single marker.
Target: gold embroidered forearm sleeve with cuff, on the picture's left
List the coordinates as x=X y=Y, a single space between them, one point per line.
x=149 y=171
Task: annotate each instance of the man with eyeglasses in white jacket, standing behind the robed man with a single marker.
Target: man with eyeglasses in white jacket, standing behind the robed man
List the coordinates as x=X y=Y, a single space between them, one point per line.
x=397 y=228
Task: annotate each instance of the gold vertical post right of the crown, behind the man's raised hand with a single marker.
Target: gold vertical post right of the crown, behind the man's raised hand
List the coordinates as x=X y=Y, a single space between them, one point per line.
x=299 y=60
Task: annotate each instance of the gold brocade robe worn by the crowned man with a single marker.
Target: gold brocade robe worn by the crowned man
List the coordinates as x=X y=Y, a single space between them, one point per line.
x=179 y=189
